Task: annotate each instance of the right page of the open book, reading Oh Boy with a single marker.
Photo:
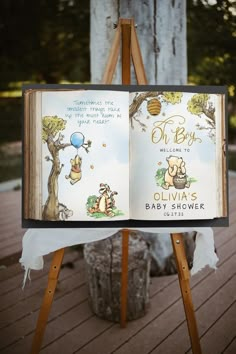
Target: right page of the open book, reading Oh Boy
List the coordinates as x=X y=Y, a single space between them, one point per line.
x=176 y=167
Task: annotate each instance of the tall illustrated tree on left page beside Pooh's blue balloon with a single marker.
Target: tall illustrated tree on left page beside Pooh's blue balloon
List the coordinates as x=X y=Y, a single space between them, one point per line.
x=51 y=126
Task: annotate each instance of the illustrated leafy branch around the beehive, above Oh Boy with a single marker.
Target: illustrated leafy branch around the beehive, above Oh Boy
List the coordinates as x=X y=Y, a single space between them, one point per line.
x=140 y=98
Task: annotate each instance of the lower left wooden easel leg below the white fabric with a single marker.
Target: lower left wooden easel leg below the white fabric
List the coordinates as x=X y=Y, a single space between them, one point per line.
x=47 y=300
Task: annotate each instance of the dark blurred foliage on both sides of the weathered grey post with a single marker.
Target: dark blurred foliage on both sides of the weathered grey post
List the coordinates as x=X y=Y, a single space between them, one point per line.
x=48 y=42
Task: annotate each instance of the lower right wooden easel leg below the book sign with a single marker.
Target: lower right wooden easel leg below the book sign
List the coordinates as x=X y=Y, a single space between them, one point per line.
x=184 y=276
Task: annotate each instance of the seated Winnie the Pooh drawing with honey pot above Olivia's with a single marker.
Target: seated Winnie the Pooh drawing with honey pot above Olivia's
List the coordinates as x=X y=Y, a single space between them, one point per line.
x=175 y=174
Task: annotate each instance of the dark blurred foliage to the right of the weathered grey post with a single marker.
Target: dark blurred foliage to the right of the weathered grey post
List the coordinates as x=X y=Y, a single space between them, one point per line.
x=211 y=38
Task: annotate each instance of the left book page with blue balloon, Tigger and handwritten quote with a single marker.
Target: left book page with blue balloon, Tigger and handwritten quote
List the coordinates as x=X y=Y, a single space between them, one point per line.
x=85 y=155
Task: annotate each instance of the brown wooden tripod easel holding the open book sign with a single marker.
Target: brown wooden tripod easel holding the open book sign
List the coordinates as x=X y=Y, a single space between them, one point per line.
x=125 y=34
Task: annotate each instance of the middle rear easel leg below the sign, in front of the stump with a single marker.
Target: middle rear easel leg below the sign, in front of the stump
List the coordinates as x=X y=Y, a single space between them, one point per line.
x=124 y=277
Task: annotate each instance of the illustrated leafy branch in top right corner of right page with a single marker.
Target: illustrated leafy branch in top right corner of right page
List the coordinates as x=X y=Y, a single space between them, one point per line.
x=201 y=104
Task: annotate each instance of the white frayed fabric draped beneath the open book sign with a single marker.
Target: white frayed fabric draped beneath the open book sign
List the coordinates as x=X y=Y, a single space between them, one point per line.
x=39 y=242
